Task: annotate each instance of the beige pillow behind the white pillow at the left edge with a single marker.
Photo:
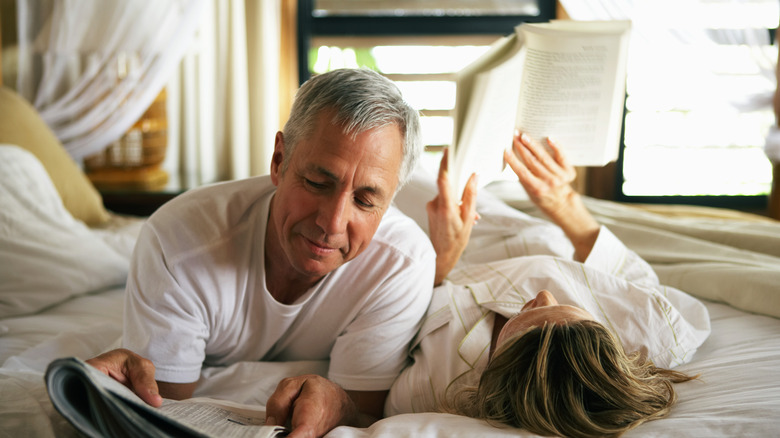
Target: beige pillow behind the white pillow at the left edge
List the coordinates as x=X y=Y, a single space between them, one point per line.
x=21 y=125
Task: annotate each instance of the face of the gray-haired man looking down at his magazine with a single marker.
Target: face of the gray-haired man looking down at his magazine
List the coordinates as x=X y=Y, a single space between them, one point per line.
x=331 y=198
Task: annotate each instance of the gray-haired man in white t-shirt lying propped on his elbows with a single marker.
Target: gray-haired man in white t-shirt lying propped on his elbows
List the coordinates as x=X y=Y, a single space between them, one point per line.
x=311 y=262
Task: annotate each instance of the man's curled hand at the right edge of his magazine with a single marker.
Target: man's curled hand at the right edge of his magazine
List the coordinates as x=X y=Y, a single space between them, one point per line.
x=312 y=404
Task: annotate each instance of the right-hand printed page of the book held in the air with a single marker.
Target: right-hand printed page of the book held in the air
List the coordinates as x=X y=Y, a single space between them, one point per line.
x=574 y=87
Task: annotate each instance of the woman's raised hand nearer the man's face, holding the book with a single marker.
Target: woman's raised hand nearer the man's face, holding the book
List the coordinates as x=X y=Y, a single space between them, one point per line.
x=450 y=222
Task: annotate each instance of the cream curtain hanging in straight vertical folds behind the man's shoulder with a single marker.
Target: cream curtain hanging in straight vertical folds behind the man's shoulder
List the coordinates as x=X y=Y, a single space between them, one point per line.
x=223 y=101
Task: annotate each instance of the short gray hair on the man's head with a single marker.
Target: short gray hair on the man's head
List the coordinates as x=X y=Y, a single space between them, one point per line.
x=363 y=100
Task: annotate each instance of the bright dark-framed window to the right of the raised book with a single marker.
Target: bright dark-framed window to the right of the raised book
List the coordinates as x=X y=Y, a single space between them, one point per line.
x=695 y=125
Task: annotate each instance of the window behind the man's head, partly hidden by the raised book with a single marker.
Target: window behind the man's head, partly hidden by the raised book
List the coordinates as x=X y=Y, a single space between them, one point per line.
x=419 y=44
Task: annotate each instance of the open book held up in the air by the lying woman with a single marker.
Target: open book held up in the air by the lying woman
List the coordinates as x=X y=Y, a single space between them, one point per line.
x=563 y=79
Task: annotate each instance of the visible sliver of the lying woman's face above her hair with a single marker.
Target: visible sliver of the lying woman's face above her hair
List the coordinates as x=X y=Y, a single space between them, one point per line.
x=544 y=308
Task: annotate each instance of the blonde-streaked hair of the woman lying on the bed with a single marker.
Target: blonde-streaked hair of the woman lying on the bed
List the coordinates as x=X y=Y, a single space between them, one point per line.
x=572 y=379
